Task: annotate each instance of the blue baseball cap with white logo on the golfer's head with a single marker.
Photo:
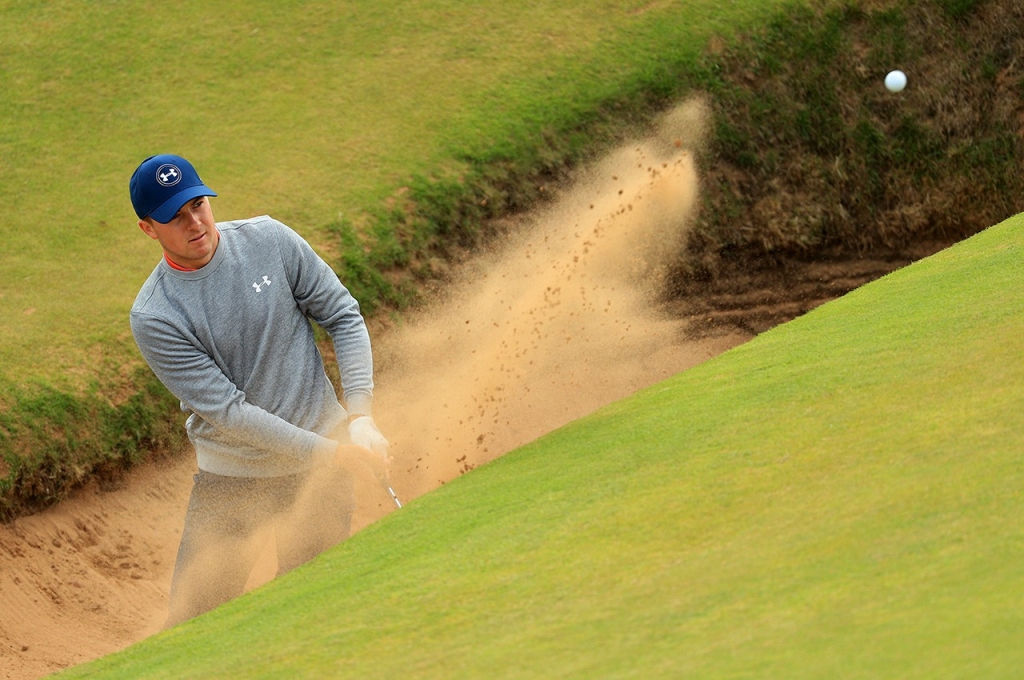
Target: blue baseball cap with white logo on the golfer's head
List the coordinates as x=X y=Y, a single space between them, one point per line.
x=161 y=185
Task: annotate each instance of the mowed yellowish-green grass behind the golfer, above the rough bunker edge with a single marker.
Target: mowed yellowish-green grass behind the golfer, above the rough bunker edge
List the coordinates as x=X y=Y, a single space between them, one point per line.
x=307 y=111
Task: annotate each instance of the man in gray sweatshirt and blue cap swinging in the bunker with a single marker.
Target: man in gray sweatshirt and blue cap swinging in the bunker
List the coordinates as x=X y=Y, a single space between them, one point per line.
x=224 y=322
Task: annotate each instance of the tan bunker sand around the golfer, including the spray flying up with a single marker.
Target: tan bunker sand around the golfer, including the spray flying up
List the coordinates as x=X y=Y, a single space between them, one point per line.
x=552 y=325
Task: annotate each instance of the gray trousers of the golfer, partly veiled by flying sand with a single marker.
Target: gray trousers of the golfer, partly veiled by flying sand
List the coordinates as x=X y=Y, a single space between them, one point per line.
x=231 y=520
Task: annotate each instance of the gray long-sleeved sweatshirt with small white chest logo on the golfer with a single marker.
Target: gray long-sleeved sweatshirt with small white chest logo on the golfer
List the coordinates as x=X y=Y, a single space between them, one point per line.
x=234 y=344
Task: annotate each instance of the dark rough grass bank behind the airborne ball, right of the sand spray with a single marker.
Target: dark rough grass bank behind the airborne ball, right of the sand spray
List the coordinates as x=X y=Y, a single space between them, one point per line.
x=813 y=158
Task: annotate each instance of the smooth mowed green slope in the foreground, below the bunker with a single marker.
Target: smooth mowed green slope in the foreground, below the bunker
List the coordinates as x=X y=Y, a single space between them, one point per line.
x=839 y=498
